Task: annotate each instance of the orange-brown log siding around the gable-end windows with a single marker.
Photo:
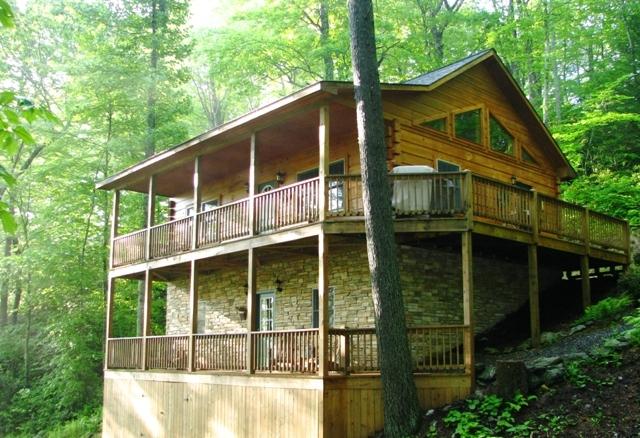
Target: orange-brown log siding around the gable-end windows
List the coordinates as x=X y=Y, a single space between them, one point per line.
x=475 y=88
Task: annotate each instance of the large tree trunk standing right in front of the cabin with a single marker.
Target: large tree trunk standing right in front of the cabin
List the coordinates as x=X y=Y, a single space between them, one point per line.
x=401 y=407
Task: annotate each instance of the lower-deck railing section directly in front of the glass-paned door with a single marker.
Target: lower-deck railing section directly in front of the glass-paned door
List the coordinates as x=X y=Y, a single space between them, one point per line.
x=292 y=351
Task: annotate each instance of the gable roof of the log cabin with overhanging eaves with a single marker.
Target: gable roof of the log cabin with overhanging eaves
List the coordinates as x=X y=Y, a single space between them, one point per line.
x=424 y=82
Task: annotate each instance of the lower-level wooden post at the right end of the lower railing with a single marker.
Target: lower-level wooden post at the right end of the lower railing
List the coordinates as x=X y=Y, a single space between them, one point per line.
x=467 y=302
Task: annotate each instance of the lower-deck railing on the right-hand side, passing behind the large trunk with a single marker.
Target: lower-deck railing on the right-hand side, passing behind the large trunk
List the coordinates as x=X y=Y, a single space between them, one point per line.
x=433 y=349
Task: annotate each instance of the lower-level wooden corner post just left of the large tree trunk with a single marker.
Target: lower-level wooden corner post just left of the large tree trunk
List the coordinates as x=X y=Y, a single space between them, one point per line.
x=323 y=303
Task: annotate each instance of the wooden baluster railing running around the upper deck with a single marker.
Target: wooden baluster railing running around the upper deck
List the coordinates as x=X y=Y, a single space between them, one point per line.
x=432 y=195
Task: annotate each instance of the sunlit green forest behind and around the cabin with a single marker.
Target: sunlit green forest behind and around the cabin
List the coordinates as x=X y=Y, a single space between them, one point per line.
x=90 y=87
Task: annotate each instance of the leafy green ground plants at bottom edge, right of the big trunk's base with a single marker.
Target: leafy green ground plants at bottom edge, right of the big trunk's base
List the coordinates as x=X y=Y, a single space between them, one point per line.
x=490 y=416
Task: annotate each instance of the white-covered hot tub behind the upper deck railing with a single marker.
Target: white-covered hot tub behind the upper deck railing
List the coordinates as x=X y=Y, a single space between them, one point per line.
x=411 y=195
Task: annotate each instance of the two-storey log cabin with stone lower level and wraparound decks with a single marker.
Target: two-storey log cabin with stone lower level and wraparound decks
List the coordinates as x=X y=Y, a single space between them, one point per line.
x=269 y=319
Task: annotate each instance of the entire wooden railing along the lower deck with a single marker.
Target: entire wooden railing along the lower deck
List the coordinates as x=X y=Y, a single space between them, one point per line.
x=350 y=351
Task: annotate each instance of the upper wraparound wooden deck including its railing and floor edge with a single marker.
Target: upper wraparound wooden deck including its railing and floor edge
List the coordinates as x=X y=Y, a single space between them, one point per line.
x=448 y=202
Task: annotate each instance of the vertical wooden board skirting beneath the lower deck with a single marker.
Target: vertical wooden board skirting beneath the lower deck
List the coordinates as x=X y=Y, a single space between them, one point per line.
x=206 y=405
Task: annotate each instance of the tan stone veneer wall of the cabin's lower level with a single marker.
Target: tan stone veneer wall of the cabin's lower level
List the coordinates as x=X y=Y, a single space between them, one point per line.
x=431 y=283
